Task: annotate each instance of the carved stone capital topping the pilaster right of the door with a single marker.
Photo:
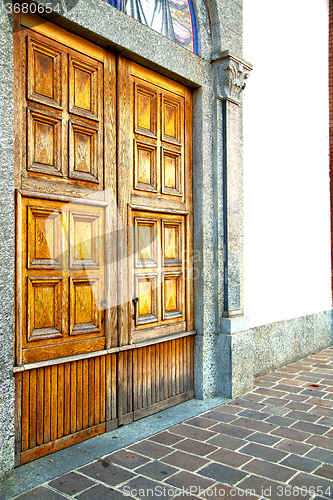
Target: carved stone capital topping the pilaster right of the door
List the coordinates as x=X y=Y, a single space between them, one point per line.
x=230 y=73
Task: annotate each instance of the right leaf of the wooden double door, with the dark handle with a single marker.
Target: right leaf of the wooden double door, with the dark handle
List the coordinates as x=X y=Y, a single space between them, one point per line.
x=155 y=203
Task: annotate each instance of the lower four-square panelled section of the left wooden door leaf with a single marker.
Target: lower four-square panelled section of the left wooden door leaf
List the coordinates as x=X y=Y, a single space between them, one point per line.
x=63 y=278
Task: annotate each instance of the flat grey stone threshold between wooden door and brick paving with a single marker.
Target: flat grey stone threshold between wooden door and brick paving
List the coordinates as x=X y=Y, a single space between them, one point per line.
x=28 y=476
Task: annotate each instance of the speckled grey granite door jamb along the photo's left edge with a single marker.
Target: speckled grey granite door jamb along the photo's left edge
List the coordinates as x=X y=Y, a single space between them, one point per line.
x=7 y=250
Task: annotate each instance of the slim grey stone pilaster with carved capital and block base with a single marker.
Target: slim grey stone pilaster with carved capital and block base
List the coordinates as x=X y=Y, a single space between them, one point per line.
x=234 y=349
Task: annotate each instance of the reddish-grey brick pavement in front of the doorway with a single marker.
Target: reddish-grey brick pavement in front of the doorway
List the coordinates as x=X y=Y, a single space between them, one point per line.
x=275 y=442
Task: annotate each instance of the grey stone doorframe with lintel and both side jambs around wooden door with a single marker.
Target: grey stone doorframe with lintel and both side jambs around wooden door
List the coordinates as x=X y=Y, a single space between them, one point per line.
x=217 y=76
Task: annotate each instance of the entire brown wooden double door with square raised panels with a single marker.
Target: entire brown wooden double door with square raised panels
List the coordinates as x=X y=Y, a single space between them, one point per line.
x=103 y=178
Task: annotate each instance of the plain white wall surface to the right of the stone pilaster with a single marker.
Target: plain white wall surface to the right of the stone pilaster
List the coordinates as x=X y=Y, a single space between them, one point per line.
x=286 y=163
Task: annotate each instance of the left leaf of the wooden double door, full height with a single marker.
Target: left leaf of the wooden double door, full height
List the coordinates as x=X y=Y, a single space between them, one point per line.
x=65 y=376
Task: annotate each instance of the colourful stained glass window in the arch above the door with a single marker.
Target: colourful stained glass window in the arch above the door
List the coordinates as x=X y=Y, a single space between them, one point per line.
x=172 y=18
